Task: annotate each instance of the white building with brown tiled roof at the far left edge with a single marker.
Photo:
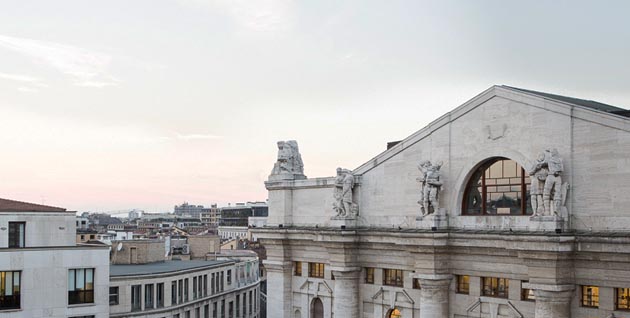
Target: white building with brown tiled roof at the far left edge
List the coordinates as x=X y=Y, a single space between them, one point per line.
x=43 y=272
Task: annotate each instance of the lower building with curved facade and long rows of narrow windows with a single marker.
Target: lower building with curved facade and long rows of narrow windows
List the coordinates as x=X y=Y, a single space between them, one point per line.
x=185 y=289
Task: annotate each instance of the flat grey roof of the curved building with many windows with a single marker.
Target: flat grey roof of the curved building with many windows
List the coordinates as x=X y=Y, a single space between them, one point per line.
x=161 y=267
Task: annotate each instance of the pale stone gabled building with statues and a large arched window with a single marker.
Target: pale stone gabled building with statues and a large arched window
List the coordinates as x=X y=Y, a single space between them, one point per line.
x=514 y=204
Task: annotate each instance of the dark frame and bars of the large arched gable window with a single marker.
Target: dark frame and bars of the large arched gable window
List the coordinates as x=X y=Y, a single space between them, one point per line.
x=524 y=183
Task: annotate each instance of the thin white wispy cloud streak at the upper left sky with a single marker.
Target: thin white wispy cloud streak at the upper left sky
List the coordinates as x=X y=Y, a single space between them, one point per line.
x=84 y=66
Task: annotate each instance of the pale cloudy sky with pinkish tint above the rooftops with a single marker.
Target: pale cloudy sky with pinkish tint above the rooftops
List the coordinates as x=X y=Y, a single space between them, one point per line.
x=111 y=105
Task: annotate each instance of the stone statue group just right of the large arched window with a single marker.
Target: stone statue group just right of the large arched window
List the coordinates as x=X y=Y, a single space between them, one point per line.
x=548 y=168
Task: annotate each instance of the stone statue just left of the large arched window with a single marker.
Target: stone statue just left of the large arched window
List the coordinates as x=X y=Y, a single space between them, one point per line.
x=431 y=185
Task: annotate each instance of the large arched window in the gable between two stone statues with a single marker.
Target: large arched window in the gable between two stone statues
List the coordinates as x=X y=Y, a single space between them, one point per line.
x=499 y=186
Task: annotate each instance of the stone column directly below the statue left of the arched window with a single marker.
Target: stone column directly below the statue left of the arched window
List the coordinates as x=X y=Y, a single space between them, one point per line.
x=434 y=295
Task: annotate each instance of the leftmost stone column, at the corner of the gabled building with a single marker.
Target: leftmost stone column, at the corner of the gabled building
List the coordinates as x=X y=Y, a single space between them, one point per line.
x=279 y=292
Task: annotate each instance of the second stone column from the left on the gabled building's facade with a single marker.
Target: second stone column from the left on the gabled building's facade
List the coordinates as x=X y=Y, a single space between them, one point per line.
x=346 y=296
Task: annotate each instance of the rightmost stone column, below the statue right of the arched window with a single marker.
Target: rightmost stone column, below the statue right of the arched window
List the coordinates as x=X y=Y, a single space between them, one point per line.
x=553 y=301
